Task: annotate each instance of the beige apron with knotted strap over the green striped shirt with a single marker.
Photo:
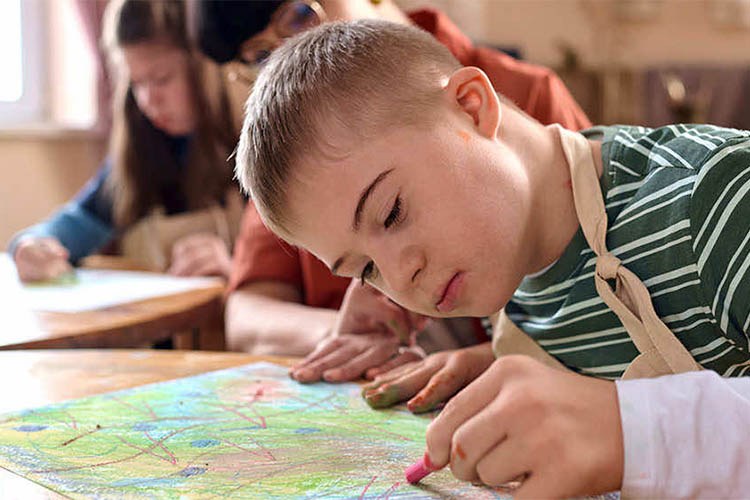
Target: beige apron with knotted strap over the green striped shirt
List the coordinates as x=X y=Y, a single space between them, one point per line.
x=660 y=351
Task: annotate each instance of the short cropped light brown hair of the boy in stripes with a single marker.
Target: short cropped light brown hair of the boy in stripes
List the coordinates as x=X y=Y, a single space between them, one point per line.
x=360 y=76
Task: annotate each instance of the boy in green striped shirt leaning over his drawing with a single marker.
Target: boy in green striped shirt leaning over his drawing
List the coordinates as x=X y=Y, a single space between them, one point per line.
x=452 y=202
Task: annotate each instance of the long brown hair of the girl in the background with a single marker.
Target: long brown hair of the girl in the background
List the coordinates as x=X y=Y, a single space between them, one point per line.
x=142 y=161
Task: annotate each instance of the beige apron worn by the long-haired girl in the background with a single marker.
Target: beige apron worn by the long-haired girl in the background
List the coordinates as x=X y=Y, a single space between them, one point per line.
x=149 y=241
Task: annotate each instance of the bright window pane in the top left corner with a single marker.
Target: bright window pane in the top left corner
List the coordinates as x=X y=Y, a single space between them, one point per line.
x=21 y=42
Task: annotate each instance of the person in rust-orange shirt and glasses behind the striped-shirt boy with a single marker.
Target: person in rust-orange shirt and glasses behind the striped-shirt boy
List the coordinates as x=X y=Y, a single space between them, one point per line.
x=282 y=300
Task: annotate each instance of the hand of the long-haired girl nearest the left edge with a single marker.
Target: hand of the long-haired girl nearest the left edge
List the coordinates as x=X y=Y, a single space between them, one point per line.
x=40 y=259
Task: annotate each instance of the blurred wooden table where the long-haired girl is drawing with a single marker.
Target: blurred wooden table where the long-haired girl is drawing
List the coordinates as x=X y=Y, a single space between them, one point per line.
x=193 y=320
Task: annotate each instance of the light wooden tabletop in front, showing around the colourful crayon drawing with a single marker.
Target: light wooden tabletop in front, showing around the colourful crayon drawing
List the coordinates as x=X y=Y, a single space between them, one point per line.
x=41 y=377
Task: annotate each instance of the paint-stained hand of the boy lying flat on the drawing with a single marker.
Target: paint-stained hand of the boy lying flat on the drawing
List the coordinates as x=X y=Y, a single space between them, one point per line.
x=434 y=379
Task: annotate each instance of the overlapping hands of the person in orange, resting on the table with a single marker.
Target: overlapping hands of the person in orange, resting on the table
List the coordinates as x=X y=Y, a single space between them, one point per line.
x=368 y=339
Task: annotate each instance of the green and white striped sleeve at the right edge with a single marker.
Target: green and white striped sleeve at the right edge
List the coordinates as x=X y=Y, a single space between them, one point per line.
x=720 y=224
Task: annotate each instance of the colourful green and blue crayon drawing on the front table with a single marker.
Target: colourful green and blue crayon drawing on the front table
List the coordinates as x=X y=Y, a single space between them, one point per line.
x=247 y=432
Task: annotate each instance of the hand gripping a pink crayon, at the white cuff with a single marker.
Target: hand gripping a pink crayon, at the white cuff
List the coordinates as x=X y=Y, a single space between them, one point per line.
x=558 y=432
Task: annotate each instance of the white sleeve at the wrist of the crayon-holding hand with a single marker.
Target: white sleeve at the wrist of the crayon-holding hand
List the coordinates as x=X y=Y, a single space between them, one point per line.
x=686 y=435
